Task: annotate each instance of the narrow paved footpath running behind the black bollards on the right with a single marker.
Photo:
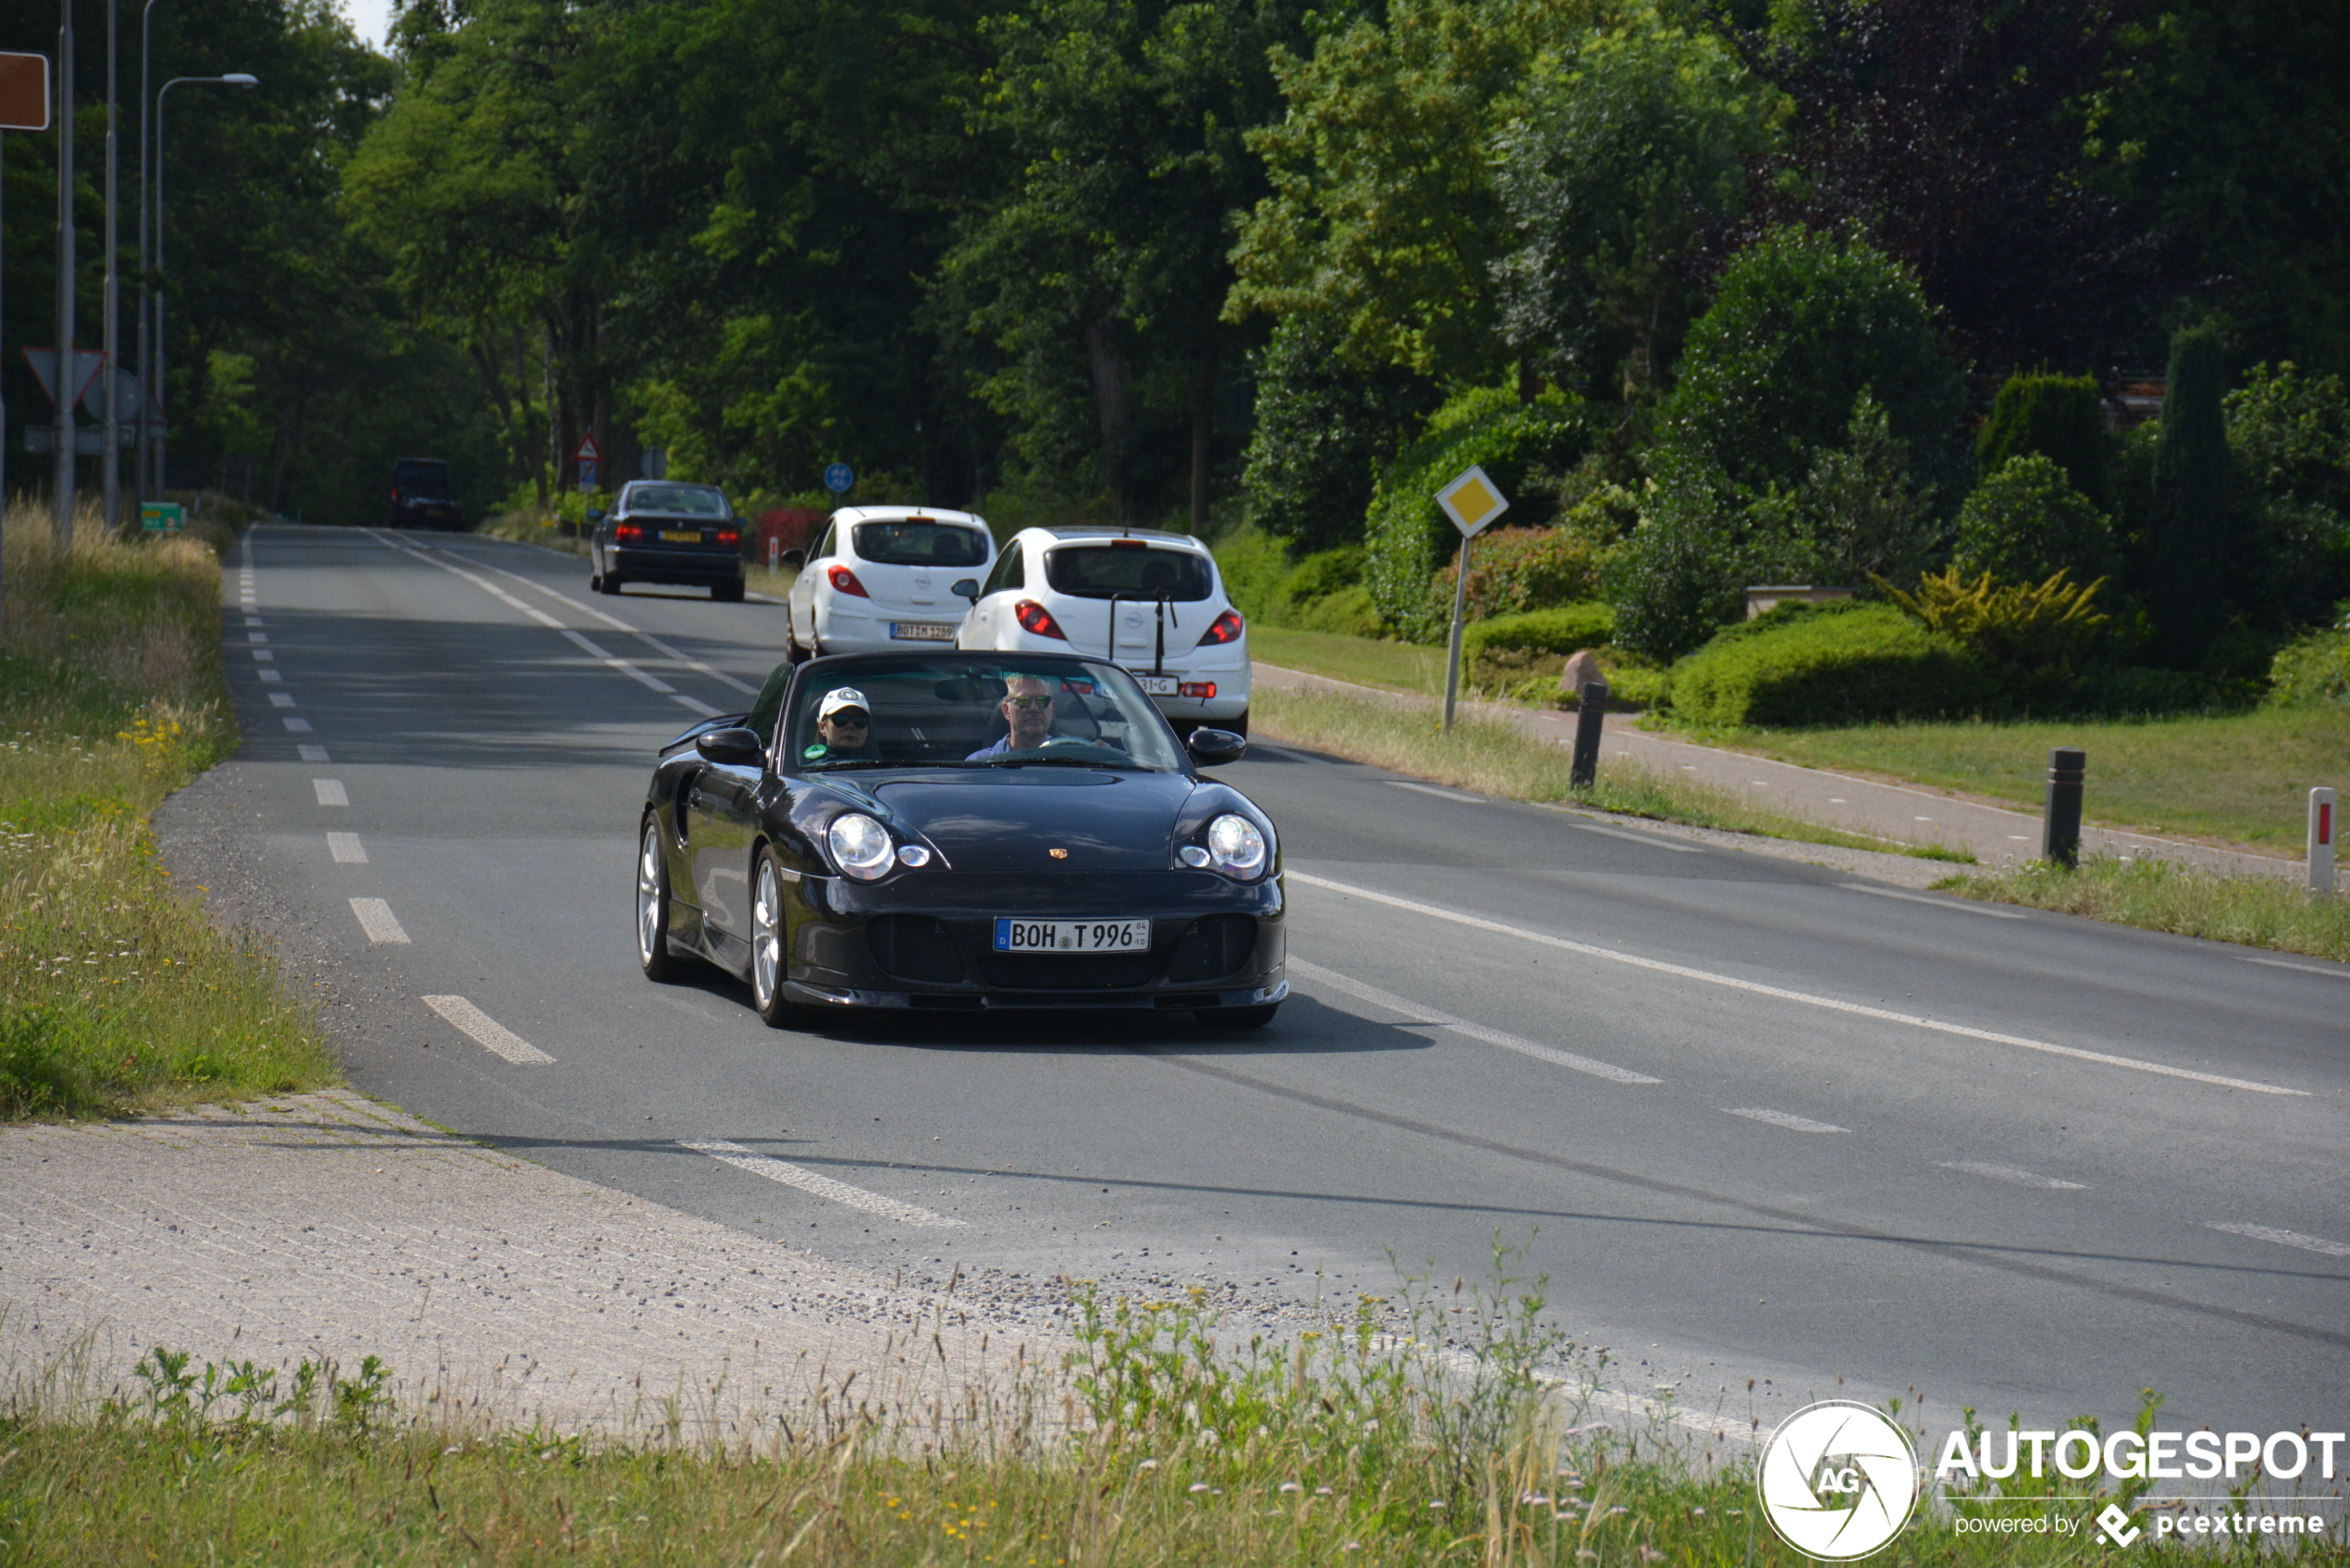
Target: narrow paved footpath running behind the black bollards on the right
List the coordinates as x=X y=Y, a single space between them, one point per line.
x=1905 y=815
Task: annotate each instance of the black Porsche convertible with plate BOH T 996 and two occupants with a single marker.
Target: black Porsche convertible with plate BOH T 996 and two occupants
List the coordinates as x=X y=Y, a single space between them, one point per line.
x=962 y=831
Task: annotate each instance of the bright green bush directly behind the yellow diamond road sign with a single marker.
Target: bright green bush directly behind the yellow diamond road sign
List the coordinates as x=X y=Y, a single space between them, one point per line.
x=1409 y=537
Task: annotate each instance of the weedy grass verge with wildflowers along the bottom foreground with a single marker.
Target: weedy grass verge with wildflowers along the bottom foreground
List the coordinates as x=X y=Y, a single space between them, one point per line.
x=1425 y=1433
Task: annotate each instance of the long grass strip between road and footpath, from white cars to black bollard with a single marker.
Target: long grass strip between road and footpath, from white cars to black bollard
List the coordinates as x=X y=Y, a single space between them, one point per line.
x=1500 y=760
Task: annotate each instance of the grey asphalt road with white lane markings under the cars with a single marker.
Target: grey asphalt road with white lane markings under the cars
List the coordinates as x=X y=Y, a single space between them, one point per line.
x=1750 y=1118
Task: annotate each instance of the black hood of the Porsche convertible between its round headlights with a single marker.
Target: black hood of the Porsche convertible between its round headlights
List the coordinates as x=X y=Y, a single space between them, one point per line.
x=1012 y=819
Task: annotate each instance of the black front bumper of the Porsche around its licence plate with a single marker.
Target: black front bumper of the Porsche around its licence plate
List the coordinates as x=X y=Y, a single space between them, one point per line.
x=927 y=942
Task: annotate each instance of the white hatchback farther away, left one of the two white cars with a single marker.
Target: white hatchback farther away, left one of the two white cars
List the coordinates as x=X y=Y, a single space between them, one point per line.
x=880 y=579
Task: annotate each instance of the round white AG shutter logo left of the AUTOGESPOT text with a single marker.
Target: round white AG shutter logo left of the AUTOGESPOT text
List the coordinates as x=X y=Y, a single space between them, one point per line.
x=1839 y=1480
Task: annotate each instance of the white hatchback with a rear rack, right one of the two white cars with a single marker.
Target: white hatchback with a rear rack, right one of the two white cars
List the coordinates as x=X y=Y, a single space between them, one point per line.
x=1155 y=603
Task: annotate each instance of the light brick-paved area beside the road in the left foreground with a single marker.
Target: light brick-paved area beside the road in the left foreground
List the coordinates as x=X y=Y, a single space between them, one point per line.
x=499 y=1292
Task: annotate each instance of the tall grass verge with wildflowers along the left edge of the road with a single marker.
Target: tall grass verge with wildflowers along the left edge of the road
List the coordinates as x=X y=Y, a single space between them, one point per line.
x=114 y=989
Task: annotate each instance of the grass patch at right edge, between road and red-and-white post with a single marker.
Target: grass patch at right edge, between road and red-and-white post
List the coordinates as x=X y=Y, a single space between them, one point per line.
x=2184 y=902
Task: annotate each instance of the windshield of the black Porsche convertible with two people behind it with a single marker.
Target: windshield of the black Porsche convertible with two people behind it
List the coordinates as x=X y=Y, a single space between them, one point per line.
x=976 y=713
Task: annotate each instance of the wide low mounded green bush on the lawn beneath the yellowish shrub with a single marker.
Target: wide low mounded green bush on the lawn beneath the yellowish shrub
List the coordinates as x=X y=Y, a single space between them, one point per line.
x=1818 y=664
